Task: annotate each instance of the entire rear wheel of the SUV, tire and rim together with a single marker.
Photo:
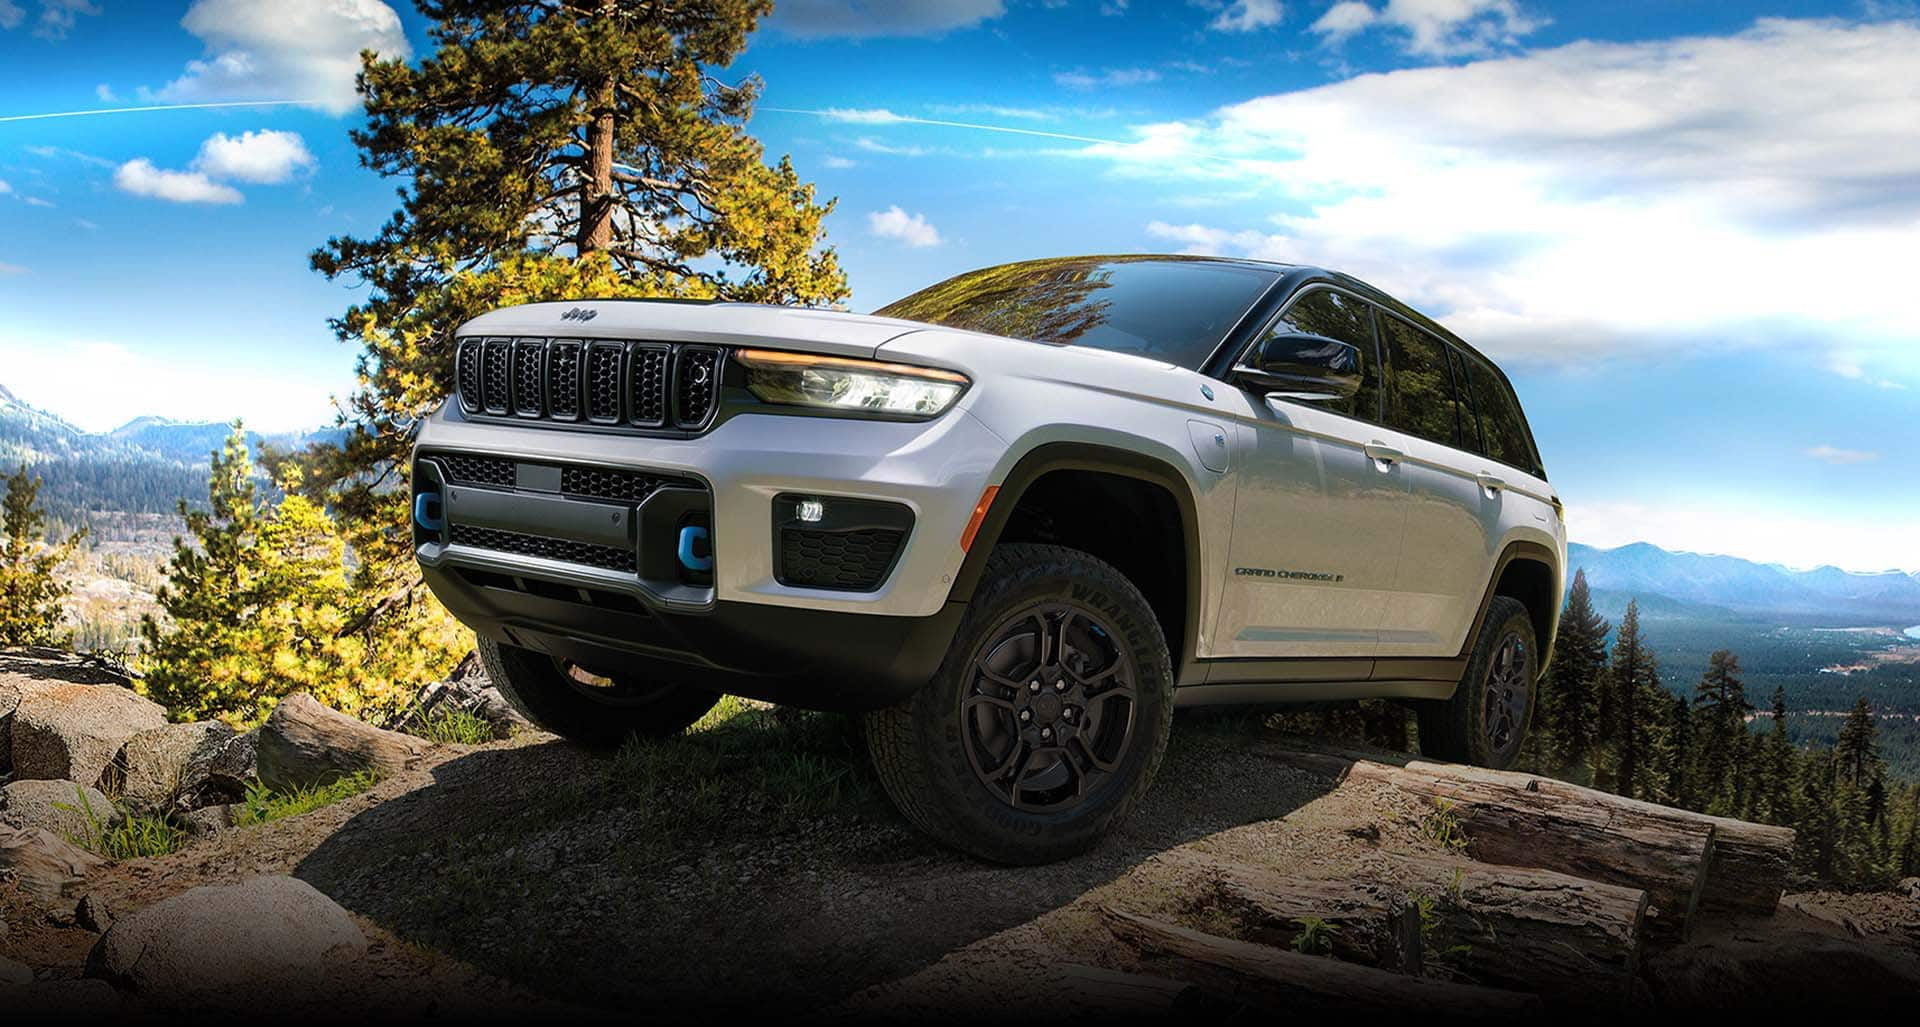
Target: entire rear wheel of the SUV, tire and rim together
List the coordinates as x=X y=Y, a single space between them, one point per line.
x=1485 y=723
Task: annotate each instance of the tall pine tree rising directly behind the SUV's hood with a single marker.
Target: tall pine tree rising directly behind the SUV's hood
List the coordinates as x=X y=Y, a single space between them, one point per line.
x=548 y=149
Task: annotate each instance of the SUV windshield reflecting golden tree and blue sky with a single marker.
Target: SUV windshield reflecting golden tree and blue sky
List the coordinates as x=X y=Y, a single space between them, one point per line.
x=1163 y=308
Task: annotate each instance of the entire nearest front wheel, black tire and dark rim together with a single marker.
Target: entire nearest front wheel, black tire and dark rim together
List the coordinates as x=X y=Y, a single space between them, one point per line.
x=1047 y=719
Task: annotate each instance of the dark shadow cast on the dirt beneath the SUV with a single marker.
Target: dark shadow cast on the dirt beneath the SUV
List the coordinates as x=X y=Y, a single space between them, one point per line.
x=571 y=901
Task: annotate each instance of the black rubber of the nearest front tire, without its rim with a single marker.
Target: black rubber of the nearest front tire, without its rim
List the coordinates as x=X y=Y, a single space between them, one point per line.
x=923 y=759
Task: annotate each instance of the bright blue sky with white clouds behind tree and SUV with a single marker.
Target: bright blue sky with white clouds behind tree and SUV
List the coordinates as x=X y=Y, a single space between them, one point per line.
x=1687 y=229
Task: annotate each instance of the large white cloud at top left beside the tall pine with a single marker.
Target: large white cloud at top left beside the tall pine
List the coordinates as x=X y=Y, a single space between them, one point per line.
x=285 y=51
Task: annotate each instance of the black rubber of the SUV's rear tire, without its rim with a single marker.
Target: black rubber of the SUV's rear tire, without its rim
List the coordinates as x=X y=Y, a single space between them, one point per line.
x=1458 y=728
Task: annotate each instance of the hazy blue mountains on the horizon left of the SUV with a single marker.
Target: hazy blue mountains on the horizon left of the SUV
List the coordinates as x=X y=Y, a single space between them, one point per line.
x=145 y=466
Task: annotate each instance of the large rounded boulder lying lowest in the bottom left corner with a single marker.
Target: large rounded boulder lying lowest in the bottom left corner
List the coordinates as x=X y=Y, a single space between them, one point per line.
x=229 y=945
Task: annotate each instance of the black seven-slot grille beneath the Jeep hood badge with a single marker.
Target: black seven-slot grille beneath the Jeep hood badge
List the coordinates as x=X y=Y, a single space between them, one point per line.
x=636 y=385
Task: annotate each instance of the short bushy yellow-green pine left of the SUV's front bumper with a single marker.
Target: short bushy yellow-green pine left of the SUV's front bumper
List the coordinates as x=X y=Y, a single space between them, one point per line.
x=254 y=609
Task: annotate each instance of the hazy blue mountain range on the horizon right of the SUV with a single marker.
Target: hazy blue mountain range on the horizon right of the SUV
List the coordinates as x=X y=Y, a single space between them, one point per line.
x=1729 y=588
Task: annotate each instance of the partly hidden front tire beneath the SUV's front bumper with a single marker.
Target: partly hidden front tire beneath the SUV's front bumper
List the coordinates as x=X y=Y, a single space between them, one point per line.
x=588 y=709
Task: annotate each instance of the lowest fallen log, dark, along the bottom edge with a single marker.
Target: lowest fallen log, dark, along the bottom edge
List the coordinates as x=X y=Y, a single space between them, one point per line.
x=1291 y=982
